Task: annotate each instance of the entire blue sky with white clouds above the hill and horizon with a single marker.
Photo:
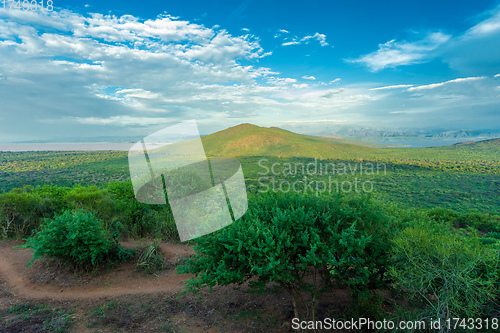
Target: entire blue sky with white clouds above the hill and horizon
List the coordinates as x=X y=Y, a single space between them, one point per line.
x=119 y=68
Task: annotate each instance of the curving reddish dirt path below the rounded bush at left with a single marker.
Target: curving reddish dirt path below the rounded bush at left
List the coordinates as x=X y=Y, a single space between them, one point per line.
x=45 y=282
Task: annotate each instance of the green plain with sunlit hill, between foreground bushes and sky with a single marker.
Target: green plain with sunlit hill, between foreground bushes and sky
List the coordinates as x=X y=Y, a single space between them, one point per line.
x=460 y=177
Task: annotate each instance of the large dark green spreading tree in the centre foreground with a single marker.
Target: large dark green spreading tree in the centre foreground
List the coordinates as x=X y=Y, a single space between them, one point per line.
x=302 y=244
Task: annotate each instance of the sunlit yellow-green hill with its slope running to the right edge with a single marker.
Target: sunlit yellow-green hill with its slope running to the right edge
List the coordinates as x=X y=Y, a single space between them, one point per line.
x=251 y=140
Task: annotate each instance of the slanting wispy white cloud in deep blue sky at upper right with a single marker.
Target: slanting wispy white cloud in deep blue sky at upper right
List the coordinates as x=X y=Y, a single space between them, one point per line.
x=393 y=53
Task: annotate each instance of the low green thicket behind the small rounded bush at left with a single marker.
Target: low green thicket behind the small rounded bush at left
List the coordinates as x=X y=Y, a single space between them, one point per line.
x=23 y=210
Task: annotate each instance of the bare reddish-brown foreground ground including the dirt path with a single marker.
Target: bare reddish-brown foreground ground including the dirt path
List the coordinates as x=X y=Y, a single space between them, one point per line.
x=122 y=299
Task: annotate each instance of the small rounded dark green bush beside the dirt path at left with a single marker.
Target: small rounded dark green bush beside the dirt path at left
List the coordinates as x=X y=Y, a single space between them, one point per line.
x=76 y=239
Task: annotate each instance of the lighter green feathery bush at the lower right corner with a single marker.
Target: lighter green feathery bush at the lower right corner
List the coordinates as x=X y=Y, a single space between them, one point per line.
x=452 y=275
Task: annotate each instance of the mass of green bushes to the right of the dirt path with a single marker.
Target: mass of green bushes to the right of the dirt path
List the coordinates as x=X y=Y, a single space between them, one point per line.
x=306 y=245
